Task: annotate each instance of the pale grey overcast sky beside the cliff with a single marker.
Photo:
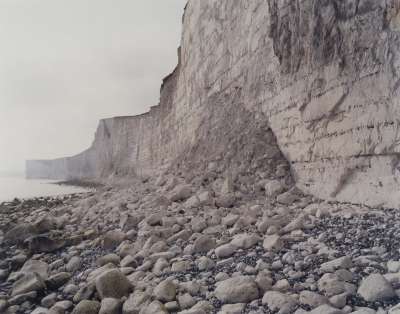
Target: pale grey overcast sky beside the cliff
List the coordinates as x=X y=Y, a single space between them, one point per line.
x=65 y=64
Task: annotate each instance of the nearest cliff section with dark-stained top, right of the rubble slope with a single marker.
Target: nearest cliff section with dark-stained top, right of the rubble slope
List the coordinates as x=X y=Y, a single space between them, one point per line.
x=336 y=109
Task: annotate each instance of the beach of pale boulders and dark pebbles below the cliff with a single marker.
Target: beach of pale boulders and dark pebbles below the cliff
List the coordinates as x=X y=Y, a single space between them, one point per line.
x=166 y=246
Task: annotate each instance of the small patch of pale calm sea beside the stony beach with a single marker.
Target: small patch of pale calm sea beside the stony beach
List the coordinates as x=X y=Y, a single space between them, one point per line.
x=11 y=187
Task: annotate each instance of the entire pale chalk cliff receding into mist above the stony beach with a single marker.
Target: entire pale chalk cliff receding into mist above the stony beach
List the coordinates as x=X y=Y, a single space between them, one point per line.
x=261 y=85
